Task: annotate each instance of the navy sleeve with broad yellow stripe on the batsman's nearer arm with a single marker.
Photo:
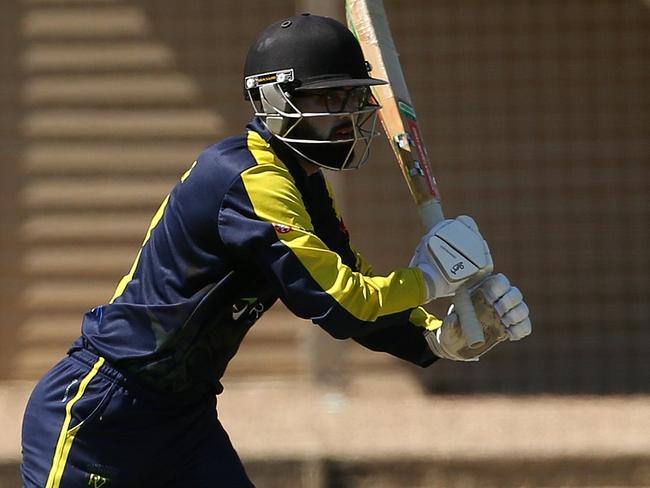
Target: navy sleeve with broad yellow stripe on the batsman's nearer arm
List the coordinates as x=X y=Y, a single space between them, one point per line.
x=263 y=219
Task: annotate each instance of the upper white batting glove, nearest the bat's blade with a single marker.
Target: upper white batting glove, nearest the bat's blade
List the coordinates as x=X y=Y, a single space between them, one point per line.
x=450 y=254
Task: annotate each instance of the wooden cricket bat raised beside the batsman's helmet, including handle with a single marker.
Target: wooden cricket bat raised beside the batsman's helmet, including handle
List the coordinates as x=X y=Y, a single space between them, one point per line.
x=367 y=20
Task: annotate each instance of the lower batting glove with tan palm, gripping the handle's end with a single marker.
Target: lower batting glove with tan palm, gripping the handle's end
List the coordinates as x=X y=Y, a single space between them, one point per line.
x=500 y=309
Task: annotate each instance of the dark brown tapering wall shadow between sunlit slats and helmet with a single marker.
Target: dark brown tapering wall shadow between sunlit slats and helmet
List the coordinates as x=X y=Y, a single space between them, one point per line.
x=211 y=40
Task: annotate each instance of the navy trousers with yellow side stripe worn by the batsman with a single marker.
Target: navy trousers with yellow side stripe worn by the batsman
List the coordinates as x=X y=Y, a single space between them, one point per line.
x=87 y=426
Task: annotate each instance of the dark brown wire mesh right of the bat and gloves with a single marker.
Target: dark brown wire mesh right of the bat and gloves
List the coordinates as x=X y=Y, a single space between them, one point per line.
x=537 y=117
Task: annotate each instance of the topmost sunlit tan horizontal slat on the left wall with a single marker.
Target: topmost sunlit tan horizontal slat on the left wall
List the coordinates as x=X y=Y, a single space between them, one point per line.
x=90 y=21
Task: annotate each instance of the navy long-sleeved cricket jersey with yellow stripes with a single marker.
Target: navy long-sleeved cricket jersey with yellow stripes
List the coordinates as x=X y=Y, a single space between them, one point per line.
x=245 y=226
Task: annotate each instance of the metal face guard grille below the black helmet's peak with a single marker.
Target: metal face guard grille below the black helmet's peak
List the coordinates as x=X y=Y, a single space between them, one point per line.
x=288 y=123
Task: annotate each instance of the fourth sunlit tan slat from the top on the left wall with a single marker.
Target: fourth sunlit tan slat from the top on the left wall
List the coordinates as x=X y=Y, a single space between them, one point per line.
x=159 y=124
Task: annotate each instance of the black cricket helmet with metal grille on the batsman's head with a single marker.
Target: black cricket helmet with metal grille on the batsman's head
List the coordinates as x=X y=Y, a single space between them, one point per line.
x=312 y=53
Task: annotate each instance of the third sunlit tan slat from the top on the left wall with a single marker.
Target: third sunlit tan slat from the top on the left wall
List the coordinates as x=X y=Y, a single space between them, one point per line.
x=110 y=89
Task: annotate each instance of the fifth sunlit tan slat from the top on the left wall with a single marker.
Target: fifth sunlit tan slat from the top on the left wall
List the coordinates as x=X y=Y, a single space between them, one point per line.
x=141 y=158
